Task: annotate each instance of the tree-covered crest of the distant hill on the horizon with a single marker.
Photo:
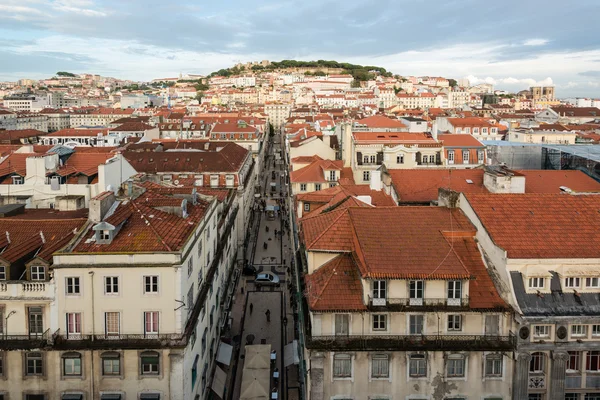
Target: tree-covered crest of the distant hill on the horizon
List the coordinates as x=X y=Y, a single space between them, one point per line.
x=359 y=72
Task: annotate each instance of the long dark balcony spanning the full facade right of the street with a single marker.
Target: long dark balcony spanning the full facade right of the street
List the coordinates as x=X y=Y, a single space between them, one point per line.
x=412 y=343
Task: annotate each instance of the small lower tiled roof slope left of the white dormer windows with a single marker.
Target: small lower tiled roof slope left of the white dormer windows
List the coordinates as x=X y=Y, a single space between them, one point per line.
x=335 y=286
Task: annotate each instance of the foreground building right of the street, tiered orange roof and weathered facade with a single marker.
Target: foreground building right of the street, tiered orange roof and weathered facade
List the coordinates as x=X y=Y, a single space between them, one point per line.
x=391 y=320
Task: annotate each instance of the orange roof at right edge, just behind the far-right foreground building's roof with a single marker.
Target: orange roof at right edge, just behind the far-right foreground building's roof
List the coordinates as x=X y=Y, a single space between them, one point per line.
x=550 y=181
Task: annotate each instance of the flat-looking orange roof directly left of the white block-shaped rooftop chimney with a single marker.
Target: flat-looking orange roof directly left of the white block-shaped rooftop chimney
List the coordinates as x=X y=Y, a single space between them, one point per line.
x=421 y=185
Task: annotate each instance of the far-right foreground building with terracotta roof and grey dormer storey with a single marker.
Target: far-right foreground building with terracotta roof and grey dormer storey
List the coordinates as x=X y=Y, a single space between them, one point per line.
x=547 y=260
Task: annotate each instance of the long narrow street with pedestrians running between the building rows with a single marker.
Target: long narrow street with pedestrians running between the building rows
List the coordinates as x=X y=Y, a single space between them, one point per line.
x=269 y=250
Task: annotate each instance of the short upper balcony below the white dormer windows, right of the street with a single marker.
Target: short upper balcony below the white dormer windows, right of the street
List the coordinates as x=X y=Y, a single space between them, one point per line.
x=424 y=304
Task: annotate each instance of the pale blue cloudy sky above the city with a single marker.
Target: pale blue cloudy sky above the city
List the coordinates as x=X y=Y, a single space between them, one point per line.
x=512 y=44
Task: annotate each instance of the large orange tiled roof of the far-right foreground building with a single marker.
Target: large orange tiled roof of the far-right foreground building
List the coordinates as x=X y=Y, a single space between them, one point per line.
x=544 y=226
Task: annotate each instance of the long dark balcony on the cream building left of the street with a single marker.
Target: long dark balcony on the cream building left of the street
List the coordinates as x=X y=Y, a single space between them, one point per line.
x=120 y=341
